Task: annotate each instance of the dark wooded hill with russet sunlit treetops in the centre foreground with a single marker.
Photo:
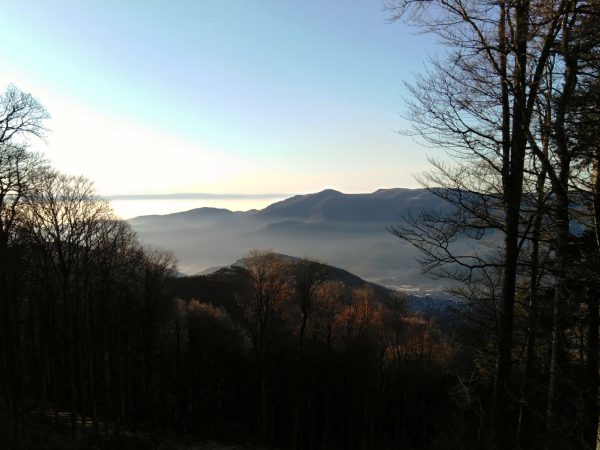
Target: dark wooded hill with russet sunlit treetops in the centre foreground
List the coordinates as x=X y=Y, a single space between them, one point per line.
x=294 y=349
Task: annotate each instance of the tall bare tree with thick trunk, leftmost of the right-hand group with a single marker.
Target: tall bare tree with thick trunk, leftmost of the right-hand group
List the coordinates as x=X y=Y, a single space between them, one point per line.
x=479 y=104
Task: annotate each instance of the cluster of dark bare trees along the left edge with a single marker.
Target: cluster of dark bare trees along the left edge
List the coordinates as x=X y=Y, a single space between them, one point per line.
x=81 y=301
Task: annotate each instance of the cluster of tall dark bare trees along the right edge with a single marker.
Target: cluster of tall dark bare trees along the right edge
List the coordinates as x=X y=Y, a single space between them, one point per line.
x=515 y=102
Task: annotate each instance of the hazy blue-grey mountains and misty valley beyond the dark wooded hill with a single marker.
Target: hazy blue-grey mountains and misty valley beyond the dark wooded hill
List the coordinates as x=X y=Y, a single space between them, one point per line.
x=349 y=231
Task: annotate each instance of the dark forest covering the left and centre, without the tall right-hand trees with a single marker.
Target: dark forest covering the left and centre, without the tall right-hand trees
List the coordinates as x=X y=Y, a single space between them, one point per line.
x=102 y=344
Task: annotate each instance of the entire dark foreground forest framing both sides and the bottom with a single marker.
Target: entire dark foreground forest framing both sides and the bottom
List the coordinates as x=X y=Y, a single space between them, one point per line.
x=102 y=345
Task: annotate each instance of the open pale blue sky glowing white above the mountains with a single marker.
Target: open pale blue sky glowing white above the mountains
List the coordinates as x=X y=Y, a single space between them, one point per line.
x=237 y=96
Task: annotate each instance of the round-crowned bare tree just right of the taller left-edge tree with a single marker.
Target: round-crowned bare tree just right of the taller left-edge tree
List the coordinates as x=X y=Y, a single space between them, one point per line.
x=63 y=220
